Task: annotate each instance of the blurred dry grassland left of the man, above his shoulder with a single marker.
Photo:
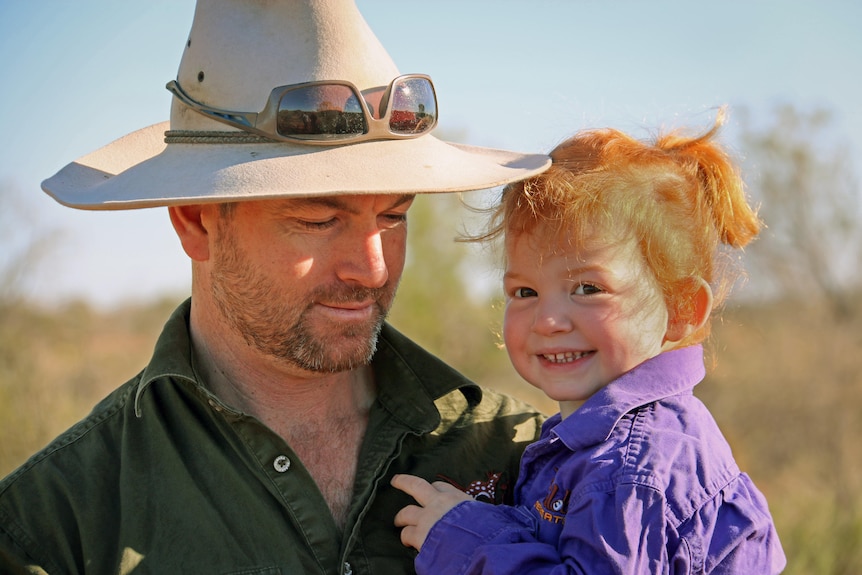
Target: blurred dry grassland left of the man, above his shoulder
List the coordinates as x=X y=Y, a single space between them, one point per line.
x=55 y=365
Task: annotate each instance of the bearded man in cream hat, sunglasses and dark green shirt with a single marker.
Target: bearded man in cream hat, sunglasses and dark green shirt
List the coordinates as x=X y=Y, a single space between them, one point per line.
x=262 y=435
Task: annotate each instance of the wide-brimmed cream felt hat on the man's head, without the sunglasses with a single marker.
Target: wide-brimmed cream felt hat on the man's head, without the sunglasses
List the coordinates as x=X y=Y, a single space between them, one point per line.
x=239 y=51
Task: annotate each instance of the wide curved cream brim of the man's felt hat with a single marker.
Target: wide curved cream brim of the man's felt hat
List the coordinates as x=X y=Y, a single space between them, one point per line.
x=141 y=171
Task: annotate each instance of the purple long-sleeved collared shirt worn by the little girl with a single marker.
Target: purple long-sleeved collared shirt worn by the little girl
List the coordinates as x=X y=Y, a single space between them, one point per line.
x=638 y=480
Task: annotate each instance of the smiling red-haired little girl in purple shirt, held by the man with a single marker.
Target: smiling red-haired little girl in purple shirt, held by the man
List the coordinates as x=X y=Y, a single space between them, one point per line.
x=614 y=267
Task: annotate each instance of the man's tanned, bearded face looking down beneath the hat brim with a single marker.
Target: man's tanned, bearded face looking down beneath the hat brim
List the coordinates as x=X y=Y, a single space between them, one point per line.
x=310 y=281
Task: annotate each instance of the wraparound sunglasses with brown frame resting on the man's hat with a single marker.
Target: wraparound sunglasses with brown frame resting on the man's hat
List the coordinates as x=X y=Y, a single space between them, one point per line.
x=334 y=112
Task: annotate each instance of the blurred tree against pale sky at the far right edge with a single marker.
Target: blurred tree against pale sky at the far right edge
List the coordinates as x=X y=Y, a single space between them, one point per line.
x=811 y=205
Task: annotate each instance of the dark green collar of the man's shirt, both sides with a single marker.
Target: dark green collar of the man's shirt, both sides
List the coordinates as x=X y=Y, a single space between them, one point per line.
x=409 y=379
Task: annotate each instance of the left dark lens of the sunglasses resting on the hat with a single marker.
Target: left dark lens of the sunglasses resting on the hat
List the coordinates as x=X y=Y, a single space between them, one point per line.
x=330 y=111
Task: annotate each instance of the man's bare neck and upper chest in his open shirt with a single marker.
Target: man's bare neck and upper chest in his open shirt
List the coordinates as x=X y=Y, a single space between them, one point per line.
x=323 y=417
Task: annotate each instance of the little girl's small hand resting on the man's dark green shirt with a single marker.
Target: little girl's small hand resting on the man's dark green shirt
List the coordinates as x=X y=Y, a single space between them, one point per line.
x=434 y=499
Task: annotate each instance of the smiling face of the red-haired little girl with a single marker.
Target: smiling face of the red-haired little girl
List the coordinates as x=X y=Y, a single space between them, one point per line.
x=578 y=317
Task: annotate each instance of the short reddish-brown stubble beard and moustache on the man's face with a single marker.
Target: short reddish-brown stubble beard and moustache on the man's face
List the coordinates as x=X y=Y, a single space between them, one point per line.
x=256 y=309
